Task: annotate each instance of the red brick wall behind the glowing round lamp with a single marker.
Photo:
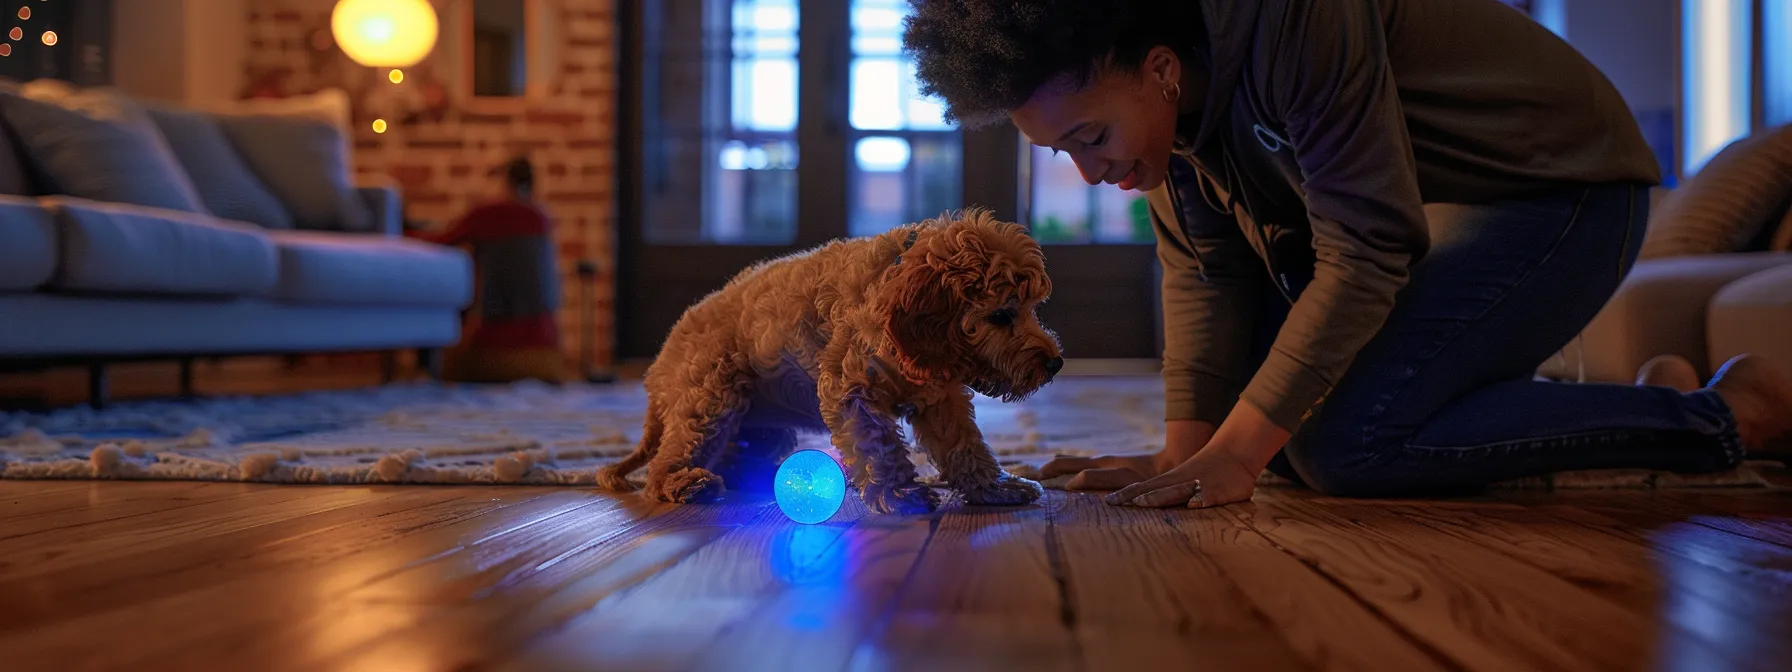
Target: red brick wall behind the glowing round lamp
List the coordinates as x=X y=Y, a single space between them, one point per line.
x=442 y=159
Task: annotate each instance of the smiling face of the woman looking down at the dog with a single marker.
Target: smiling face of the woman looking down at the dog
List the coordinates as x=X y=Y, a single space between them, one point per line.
x=1119 y=130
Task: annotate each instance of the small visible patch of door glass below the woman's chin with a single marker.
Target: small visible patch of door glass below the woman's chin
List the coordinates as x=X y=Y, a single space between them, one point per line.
x=1067 y=211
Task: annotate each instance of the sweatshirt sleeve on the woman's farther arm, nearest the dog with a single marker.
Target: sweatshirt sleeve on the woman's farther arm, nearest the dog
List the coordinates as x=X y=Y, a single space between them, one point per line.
x=1212 y=293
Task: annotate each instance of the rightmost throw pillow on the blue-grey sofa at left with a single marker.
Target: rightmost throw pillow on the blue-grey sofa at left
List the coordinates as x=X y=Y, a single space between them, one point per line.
x=306 y=162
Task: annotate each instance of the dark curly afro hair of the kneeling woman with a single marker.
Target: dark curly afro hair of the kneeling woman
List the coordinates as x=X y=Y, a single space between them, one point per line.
x=985 y=58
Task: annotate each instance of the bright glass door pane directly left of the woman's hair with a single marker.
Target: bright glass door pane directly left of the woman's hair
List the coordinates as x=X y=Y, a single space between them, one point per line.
x=906 y=160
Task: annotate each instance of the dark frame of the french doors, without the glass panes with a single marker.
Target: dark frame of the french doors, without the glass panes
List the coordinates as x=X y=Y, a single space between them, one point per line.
x=1105 y=295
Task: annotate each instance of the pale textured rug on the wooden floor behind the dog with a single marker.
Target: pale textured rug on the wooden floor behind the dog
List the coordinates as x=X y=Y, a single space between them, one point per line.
x=537 y=435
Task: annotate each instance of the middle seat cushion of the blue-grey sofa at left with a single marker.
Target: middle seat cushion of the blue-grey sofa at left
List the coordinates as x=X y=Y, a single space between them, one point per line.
x=134 y=250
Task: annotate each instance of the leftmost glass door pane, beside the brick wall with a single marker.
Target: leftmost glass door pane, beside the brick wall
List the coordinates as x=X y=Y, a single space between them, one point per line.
x=719 y=150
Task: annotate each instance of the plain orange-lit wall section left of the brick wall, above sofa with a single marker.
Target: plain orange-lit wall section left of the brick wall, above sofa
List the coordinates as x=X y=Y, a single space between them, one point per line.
x=189 y=51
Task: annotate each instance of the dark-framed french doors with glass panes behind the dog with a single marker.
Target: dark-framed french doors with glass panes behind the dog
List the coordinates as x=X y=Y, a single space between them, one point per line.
x=759 y=128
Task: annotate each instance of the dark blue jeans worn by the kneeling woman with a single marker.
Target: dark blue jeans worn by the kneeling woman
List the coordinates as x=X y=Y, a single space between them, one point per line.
x=1443 y=399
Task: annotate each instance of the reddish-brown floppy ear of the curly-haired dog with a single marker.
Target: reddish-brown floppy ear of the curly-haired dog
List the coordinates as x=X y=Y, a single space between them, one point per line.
x=922 y=322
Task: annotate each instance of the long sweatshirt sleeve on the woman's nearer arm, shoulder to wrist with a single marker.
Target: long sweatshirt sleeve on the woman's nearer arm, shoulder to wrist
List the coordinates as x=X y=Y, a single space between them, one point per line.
x=1336 y=96
